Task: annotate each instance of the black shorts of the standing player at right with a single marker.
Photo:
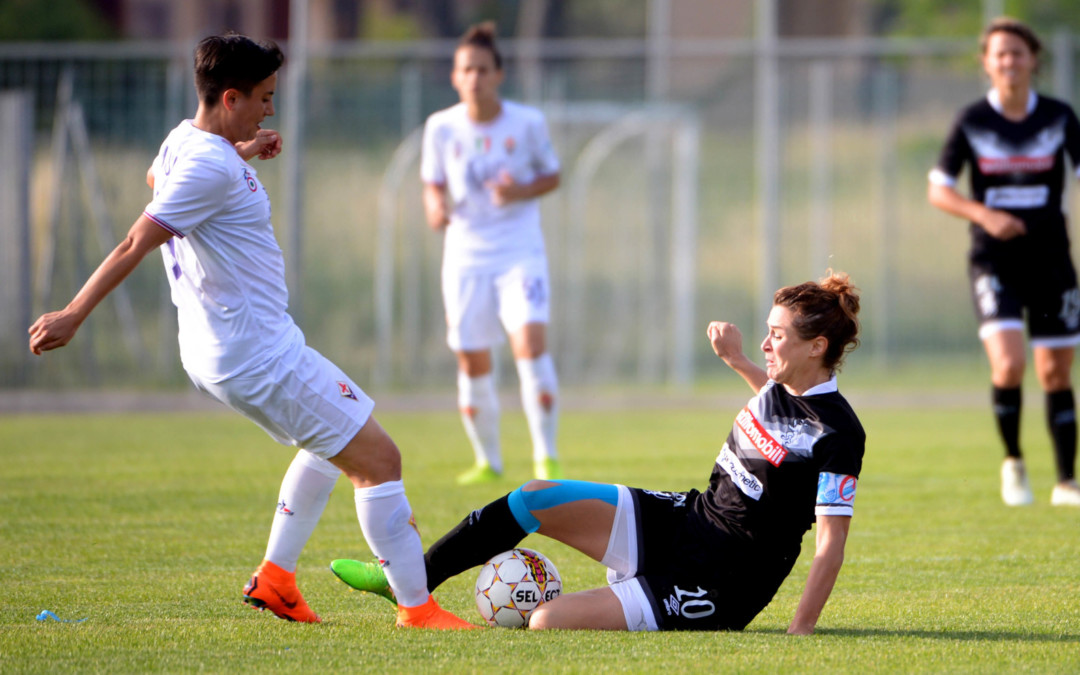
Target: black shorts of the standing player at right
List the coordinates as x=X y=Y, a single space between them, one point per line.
x=1002 y=293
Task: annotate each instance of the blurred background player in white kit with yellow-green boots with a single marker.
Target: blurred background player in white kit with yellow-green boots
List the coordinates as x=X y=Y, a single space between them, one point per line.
x=485 y=163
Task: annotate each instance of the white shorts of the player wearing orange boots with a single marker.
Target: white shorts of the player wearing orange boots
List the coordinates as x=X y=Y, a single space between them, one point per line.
x=300 y=399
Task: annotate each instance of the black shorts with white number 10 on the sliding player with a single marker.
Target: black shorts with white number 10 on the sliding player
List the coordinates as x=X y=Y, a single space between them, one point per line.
x=696 y=577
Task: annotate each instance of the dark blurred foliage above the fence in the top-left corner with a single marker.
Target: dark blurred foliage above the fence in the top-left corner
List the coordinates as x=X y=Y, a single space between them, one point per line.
x=56 y=20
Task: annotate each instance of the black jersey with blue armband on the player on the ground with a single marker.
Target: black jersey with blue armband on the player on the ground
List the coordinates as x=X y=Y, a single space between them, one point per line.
x=787 y=460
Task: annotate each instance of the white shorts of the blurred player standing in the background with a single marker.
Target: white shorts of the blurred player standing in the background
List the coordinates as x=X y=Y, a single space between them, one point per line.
x=482 y=306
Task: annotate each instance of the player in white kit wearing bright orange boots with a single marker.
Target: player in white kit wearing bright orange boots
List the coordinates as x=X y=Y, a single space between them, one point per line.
x=211 y=219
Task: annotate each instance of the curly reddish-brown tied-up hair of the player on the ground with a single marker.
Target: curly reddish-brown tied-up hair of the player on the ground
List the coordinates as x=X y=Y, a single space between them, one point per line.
x=829 y=309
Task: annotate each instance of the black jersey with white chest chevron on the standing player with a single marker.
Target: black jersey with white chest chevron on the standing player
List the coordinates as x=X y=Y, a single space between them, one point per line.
x=1016 y=167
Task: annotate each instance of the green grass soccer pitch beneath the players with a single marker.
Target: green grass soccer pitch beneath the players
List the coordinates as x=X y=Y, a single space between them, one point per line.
x=147 y=526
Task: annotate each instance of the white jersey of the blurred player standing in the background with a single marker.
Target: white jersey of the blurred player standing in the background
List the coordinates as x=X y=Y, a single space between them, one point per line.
x=467 y=157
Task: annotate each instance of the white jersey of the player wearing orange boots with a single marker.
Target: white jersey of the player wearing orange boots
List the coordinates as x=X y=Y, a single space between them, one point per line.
x=224 y=265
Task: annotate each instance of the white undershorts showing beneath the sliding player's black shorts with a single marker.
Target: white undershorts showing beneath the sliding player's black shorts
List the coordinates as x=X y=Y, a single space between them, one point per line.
x=622 y=560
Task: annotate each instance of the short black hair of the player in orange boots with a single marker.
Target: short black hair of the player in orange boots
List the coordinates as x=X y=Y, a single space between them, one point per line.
x=234 y=61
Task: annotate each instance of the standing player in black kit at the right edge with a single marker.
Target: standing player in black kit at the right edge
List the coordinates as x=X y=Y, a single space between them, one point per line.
x=1015 y=143
